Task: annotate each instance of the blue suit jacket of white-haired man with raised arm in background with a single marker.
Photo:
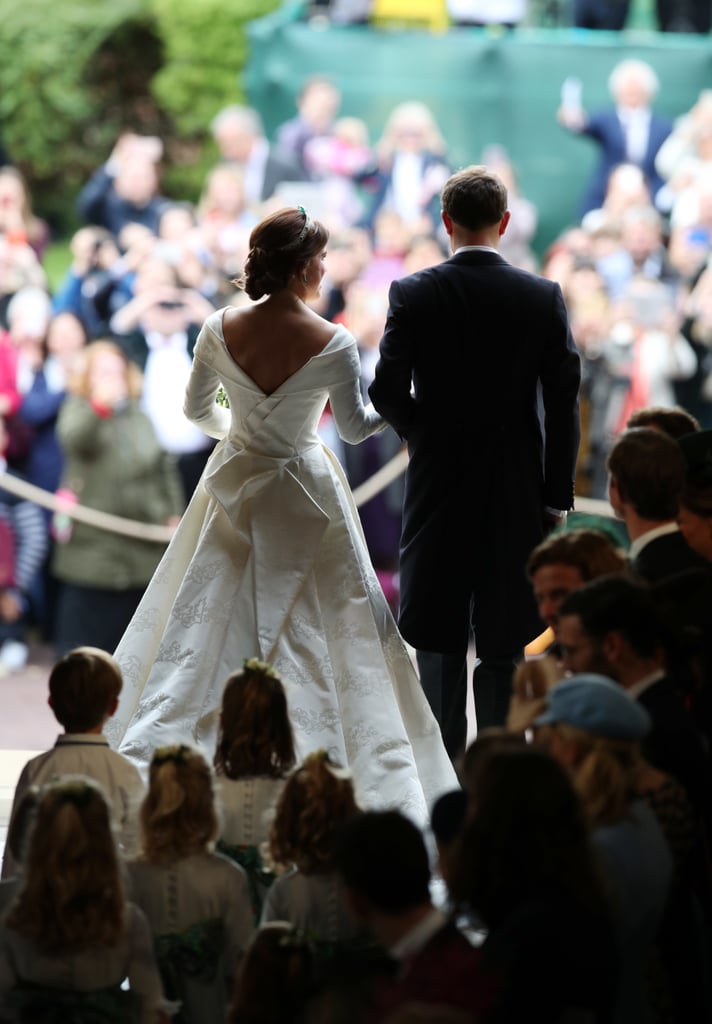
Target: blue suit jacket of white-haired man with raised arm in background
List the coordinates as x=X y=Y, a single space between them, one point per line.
x=606 y=130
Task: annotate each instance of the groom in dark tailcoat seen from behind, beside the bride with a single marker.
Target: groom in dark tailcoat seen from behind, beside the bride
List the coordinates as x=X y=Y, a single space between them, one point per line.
x=480 y=374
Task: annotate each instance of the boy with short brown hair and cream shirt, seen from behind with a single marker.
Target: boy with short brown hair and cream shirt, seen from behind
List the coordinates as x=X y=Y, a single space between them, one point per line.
x=85 y=688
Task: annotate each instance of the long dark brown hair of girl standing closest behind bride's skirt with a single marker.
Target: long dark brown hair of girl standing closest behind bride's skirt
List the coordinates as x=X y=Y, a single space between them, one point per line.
x=256 y=735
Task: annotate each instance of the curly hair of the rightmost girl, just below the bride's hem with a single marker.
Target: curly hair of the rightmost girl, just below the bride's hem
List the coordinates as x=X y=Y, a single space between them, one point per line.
x=316 y=800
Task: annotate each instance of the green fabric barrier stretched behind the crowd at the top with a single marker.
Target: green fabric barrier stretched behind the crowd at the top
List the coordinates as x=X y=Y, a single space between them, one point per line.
x=484 y=87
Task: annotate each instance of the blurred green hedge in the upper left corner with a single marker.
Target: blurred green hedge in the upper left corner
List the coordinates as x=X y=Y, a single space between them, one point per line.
x=74 y=75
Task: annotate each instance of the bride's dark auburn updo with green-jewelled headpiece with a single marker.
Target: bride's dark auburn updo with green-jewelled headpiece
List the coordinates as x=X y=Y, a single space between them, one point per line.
x=279 y=246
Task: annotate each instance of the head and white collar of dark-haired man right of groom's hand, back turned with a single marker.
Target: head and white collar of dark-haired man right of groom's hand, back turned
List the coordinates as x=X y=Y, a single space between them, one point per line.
x=647 y=476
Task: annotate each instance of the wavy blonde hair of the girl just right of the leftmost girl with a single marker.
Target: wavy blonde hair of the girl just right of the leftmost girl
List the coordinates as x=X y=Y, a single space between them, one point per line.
x=179 y=816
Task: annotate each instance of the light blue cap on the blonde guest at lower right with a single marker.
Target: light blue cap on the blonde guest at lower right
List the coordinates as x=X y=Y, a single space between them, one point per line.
x=596 y=704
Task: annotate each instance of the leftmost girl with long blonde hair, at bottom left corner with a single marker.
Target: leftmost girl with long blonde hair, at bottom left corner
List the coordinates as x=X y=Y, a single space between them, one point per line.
x=70 y=940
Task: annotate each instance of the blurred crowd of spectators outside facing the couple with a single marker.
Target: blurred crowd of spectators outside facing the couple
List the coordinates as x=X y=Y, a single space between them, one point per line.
x=147 y=270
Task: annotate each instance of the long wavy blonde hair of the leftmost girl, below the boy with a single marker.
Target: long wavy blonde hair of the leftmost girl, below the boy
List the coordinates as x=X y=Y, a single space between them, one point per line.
x=71 y=898
